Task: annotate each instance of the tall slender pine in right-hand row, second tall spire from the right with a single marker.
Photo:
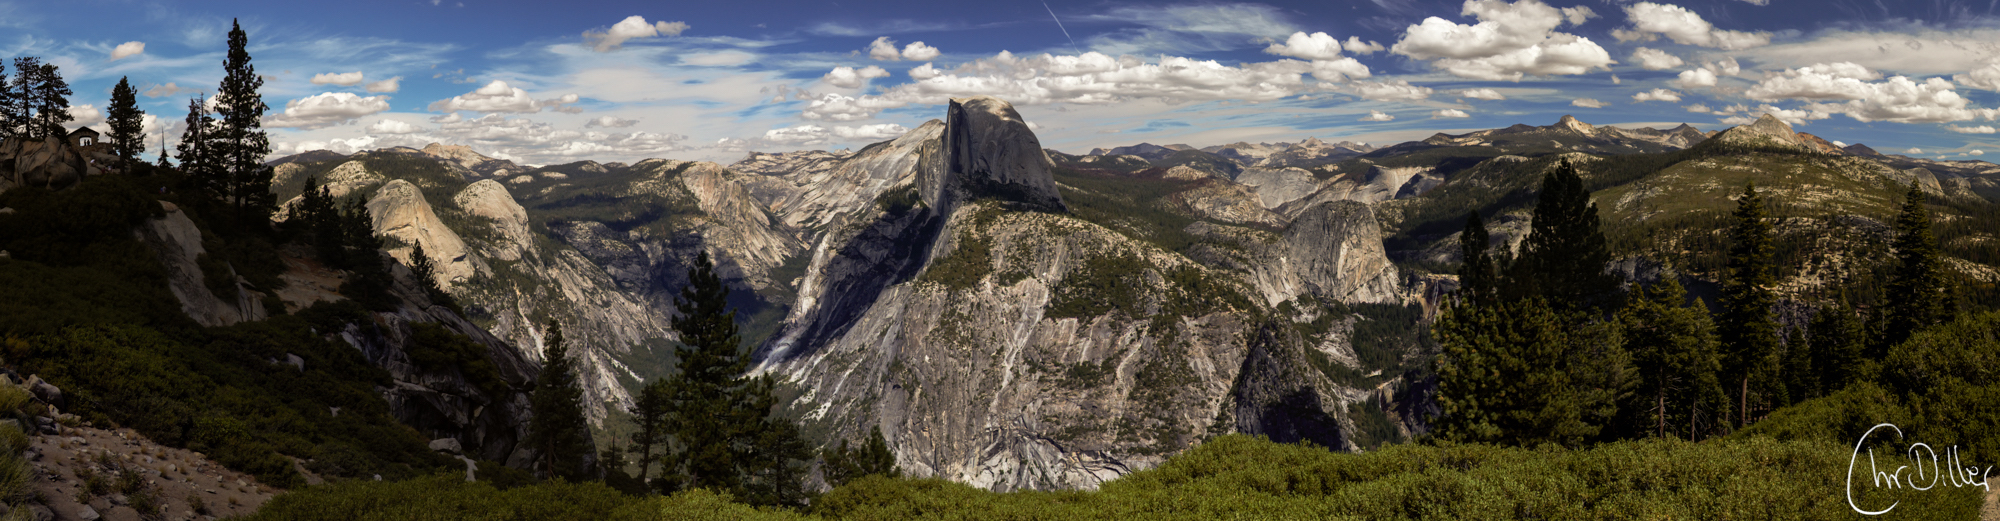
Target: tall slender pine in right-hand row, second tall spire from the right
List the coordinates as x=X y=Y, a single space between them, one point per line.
x=1749 y=332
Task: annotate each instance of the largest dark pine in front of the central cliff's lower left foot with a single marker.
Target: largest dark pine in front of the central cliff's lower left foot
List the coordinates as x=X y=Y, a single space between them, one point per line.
x=721 y=418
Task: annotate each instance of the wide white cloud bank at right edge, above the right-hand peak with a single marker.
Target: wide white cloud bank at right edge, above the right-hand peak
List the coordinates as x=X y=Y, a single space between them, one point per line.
x=1851 y=89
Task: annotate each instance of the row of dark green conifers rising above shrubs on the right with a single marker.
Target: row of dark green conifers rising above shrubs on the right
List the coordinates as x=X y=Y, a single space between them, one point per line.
x=1549 y=348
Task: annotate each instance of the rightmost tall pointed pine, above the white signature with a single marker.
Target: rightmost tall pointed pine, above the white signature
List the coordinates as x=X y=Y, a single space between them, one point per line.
x=1919 y=296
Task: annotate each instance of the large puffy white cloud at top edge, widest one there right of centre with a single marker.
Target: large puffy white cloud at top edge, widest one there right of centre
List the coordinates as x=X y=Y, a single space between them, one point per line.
x=1509 y=43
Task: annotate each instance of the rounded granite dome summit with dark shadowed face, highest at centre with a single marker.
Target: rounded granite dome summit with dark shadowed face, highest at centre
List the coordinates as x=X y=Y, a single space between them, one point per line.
x=989 y=151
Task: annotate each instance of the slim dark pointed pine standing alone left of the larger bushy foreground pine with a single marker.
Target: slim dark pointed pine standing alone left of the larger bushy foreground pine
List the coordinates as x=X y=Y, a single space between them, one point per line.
x=557 y=428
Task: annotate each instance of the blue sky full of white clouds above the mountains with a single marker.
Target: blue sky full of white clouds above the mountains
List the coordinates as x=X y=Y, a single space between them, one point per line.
x=711 y=81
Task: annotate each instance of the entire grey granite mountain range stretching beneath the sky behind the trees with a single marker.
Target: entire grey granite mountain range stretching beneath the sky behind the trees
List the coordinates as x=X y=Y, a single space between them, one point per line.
x=1017 y=318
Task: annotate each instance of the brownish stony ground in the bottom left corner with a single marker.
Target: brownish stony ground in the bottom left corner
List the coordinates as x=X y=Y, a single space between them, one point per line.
x=117 y=474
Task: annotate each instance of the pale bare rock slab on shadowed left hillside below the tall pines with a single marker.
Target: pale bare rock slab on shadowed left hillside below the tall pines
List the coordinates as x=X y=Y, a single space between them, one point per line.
x=179 y=245
